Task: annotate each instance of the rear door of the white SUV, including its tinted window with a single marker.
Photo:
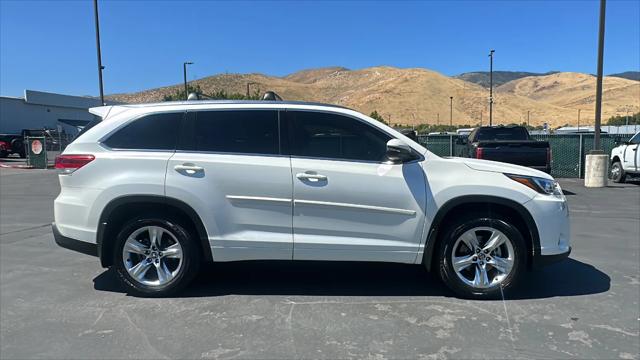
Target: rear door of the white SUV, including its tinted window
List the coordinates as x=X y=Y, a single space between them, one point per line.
x=228 y=166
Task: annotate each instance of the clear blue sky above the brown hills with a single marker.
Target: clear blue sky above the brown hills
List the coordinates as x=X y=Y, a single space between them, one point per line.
x=50 y=45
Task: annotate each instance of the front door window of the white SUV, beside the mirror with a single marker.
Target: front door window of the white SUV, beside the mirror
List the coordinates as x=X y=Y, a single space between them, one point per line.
x=333 y=136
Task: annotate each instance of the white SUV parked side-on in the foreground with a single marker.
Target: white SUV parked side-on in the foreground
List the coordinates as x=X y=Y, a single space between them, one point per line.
x=155 y=190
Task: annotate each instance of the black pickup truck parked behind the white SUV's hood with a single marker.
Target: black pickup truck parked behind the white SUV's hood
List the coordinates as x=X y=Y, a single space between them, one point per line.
x=510 y=144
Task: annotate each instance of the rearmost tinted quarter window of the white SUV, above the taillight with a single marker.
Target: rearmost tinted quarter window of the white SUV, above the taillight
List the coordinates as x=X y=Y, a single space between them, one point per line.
x=153 y=132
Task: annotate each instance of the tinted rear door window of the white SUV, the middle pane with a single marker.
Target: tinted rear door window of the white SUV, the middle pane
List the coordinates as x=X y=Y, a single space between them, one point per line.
x=232 y=131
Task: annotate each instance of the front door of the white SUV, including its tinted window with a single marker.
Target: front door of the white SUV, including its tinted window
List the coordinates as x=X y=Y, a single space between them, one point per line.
x=348 y=204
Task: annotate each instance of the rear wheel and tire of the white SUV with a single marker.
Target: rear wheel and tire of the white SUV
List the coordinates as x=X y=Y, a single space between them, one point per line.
x=153 y=273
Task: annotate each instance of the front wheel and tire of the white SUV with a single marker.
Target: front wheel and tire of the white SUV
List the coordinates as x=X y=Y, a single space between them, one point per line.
x=468 y=282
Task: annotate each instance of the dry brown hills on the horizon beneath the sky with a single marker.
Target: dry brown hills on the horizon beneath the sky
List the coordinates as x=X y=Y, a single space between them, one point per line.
x=413 y=96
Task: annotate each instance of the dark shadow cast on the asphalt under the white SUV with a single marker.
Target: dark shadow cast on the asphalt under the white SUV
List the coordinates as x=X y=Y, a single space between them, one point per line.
x=568 y=278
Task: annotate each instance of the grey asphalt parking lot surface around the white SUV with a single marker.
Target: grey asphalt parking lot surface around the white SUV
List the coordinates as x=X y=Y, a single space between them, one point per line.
x=55 y=303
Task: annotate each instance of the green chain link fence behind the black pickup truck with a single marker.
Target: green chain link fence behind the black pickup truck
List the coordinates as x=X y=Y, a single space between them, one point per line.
x=568 y=150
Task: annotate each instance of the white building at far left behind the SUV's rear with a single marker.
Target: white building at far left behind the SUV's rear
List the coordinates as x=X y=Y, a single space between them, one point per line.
x=43 y=110
